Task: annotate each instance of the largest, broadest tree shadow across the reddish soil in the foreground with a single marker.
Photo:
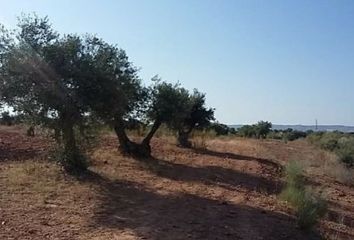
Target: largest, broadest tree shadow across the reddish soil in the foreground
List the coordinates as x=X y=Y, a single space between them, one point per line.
x=129 y=207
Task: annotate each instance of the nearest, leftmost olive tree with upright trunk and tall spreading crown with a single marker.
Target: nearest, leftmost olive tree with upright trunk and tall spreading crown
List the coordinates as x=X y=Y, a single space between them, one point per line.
x=37 y=71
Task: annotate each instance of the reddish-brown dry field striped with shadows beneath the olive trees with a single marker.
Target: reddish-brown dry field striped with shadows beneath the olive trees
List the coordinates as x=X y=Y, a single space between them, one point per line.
x=227 y=191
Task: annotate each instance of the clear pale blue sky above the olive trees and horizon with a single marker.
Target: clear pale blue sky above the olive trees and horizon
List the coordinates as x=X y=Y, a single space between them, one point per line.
x=288 y=62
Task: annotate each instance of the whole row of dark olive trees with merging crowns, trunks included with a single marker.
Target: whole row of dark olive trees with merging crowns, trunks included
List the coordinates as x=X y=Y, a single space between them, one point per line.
x=69 y=82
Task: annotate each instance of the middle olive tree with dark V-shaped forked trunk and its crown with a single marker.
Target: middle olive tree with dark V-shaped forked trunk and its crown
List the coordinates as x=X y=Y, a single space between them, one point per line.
x=117 y=96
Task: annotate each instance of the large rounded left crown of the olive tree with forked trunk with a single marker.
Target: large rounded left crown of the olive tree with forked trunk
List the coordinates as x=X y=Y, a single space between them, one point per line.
x=111 y=88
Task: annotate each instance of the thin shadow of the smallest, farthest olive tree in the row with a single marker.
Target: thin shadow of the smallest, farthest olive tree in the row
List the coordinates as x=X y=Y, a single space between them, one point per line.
x=233 y=156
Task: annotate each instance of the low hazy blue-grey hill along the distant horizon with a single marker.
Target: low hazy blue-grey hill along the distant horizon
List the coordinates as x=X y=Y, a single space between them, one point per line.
x=304 y=128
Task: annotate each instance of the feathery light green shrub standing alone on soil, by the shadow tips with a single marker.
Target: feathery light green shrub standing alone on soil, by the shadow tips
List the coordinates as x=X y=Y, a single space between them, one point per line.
x=309 y=206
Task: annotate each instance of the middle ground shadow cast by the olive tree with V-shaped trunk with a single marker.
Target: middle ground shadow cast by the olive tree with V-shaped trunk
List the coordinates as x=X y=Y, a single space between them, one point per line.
x=213 y=175
